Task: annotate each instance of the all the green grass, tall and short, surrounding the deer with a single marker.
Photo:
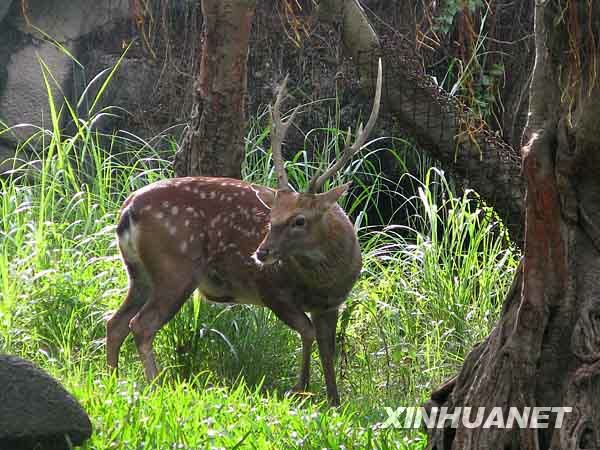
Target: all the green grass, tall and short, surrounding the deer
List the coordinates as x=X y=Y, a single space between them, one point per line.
x=430 y=289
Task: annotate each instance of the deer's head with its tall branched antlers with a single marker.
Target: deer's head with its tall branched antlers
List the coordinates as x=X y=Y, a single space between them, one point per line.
x=302 y=224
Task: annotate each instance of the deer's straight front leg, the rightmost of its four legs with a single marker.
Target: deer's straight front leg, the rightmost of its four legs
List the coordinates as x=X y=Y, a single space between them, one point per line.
x=325 y=324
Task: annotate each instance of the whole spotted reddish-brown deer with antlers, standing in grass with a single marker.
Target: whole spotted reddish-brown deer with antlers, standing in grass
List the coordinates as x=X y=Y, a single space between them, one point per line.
x=236 y=242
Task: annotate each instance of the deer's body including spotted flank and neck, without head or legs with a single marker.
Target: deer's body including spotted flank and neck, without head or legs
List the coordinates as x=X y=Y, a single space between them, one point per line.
x=218 y=223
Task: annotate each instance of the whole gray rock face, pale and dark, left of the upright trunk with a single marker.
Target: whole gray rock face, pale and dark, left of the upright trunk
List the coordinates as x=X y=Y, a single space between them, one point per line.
x=149 y=93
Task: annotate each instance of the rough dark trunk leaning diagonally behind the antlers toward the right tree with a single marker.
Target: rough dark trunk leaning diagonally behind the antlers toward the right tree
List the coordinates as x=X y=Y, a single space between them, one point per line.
x=477 y=158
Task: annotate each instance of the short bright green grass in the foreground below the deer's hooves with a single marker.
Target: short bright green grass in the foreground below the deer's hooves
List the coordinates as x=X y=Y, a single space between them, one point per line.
x=198 y=414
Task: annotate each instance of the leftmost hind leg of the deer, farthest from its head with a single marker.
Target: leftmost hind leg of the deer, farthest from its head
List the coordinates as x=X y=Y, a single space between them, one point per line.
x=117 y=327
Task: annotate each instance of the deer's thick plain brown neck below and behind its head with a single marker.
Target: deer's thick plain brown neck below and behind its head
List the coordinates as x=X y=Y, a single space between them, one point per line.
x=333 y=267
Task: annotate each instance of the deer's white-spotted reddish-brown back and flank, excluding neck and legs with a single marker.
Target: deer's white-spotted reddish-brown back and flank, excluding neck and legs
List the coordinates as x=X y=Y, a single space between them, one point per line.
x=207 y=226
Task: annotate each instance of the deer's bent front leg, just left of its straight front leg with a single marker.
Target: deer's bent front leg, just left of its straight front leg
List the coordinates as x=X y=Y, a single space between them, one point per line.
x=297 y=319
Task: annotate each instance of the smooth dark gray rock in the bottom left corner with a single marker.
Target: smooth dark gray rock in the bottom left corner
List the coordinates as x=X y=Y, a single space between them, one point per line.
x=36 y=411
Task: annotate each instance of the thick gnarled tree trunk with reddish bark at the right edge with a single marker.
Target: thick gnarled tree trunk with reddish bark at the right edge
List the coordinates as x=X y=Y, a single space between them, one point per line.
x=545 y=351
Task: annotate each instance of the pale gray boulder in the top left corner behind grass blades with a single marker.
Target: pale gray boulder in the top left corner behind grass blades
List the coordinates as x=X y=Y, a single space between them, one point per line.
x=51 y=33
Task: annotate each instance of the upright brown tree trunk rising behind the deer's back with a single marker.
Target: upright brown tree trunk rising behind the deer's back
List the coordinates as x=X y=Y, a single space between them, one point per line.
x=213 y=144
